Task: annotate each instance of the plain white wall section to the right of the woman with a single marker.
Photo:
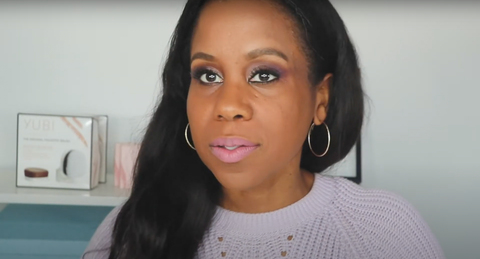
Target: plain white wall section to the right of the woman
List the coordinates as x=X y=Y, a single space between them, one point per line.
x=422 y=137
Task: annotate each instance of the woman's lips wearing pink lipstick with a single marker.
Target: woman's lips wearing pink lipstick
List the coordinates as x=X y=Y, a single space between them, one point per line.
x=232 y=150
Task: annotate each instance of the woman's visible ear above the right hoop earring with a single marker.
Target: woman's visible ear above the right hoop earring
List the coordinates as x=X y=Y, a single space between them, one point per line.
x=322 y=94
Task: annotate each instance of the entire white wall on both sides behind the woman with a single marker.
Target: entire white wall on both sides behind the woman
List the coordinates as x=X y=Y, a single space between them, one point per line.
x=420 y=72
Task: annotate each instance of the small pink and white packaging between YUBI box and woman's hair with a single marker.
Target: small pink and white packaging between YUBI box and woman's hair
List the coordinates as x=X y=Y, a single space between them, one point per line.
x=125 y=159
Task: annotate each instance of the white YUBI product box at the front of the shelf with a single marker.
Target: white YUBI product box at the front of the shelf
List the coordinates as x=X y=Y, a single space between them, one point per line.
x=55 y=151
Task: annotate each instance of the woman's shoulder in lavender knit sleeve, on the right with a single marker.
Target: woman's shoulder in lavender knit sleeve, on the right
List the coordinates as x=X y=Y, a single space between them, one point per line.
x=380 y=222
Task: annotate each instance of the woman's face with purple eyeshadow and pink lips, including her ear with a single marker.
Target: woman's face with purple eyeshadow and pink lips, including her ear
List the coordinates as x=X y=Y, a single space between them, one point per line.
x=250 y=103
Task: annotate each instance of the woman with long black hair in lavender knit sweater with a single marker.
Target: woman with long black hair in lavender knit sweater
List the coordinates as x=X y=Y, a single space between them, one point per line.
x=259 y=98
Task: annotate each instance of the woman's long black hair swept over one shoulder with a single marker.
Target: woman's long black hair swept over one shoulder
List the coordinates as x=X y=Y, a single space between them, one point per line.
x=174 y=195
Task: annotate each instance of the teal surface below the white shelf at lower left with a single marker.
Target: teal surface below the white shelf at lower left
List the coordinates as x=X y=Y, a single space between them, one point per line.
x=47 y=231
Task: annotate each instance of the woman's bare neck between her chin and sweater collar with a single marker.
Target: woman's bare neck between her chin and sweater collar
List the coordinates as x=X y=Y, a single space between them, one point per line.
x=275 y=193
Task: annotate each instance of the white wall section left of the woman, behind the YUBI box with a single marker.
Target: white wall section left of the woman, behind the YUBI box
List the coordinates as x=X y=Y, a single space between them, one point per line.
x=68 y=57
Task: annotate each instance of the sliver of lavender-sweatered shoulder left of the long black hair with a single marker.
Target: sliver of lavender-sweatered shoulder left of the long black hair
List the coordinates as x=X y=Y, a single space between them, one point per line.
x=99 y=245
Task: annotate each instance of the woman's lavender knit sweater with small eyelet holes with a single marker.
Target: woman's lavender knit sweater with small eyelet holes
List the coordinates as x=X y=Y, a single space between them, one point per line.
x=336 y=219
